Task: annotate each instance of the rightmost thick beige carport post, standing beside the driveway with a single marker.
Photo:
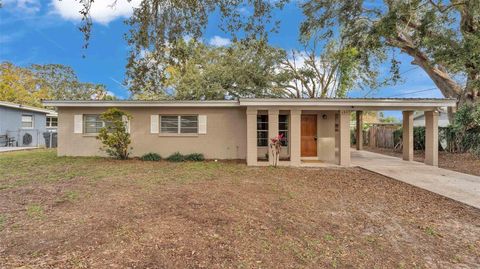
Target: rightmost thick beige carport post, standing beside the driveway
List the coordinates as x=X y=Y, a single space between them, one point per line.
x=431 y=138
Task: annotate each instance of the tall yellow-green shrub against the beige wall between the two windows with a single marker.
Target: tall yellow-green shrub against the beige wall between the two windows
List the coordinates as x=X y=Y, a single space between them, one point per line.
x=114 y=136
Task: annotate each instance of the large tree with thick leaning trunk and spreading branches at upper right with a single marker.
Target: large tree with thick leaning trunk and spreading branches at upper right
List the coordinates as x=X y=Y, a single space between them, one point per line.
x=442 y=37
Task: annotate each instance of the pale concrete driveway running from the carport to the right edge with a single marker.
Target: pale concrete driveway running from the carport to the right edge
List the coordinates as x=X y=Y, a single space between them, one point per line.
x=458 y=186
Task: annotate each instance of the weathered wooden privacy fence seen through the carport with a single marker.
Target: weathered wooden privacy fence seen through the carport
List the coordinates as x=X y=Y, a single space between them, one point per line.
x=381 y=135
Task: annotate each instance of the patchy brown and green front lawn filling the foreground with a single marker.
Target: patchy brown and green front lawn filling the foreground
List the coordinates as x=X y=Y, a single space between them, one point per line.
x=58 y=212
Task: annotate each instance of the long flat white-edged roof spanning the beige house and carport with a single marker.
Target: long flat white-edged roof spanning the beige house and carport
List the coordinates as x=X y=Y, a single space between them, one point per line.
x=322 y=104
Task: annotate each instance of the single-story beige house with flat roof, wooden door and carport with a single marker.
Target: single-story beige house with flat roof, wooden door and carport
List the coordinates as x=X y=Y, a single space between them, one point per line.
x=314 y=129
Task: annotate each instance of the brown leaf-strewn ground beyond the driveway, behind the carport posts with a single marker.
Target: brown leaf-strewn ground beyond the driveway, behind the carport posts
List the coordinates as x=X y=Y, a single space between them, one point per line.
x=460 y=162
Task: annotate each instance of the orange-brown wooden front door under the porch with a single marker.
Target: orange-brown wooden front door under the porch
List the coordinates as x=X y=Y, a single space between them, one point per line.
x=309 y=136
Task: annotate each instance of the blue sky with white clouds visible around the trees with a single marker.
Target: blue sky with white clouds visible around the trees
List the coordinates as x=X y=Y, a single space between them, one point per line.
x=38 y=31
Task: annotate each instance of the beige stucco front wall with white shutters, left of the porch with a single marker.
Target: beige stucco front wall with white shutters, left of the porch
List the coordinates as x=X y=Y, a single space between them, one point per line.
x=225 y=137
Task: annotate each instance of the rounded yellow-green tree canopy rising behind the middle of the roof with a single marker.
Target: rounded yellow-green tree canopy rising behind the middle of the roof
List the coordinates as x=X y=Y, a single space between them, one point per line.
x=194 y=70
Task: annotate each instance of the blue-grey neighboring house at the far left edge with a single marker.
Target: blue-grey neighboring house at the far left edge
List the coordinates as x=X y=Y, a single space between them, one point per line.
x=26 y=125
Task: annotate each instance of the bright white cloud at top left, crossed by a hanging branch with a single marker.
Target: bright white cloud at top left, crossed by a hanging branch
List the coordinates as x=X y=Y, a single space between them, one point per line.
x=102 y=11
